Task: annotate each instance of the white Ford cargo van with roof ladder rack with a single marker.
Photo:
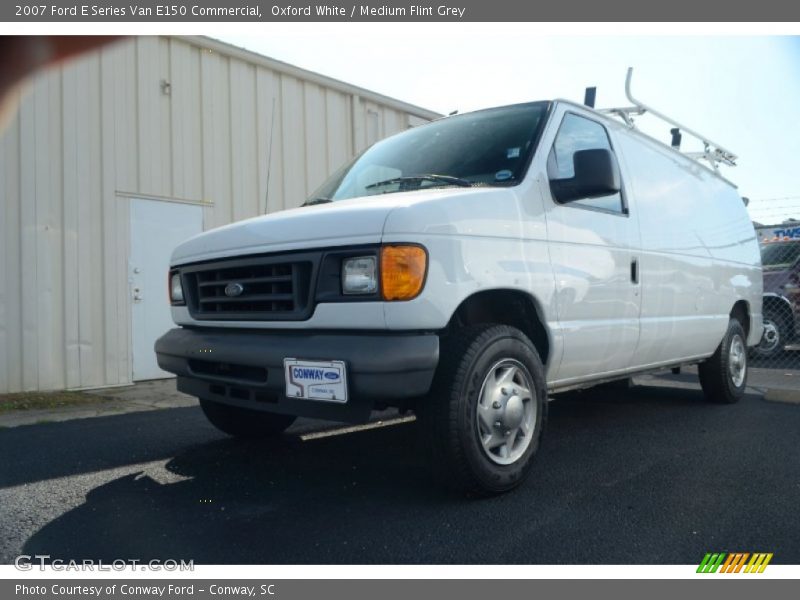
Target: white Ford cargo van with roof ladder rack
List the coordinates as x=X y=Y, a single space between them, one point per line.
x=466 y=269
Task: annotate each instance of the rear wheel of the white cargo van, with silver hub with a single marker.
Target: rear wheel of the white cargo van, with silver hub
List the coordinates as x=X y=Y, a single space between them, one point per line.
x=723 y=376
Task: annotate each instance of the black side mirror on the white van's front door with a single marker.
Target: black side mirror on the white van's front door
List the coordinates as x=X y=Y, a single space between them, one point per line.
x=596 y=174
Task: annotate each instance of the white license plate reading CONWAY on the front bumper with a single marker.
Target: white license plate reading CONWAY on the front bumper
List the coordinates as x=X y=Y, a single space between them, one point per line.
x=324 y=380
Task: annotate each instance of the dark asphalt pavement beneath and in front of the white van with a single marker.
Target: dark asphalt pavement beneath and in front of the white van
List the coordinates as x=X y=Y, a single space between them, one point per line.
x=647 y=475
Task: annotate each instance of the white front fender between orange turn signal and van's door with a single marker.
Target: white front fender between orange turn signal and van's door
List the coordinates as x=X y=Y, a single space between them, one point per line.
x=480 y=239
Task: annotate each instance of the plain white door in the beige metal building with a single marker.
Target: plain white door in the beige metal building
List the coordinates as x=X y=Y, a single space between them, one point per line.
x=157 y=227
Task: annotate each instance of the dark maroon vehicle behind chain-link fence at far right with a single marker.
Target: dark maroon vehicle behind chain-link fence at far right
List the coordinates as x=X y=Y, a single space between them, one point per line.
x=781 y=264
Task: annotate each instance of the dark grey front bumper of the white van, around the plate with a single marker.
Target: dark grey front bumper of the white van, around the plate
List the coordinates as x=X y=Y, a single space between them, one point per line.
x=245 y=368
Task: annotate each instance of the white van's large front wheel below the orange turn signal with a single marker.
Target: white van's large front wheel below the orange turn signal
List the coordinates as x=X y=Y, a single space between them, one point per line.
x=486 y=412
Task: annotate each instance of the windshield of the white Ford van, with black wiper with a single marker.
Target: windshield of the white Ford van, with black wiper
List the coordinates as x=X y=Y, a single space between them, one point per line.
x=486 y=148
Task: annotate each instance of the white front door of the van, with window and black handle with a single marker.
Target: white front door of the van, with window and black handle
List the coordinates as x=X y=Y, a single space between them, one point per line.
x=593 y=251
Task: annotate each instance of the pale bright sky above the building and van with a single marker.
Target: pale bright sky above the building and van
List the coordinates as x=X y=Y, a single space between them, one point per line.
x=742 y=92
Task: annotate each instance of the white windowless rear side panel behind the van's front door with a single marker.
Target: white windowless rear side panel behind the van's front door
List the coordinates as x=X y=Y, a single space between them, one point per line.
x=699 y=252
